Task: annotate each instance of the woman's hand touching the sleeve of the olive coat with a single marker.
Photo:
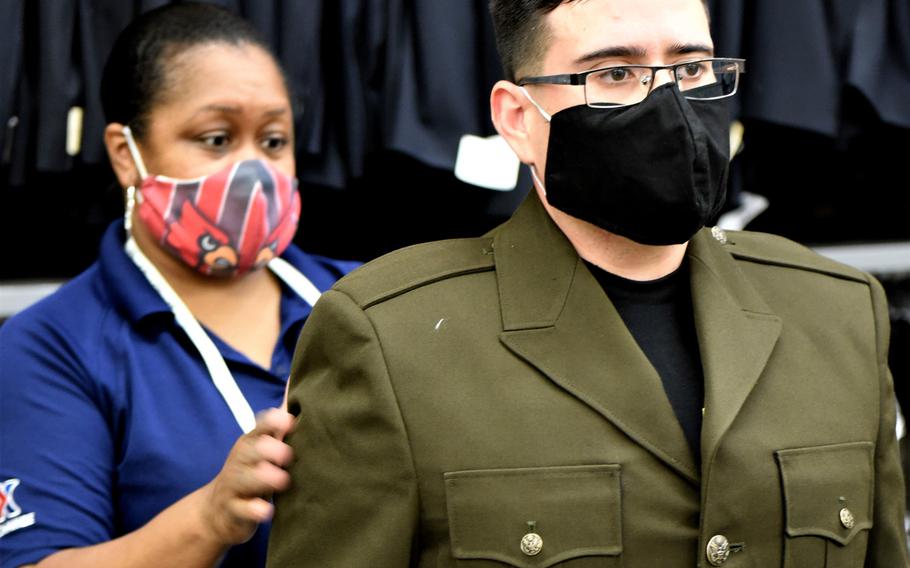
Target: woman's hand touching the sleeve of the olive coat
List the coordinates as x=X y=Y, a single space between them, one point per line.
x=237 y=500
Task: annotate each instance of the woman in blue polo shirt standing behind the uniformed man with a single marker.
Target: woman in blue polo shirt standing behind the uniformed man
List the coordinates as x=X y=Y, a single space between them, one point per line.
x=123 y=395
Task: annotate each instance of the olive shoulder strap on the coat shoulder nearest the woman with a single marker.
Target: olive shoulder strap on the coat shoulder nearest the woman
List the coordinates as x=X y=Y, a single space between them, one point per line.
x=406 y=269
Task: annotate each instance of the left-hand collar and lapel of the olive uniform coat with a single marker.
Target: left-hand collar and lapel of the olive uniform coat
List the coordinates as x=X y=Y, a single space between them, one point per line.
x=557 y=318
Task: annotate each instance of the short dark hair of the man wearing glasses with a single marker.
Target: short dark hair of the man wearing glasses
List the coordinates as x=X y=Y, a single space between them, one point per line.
x=521 y=33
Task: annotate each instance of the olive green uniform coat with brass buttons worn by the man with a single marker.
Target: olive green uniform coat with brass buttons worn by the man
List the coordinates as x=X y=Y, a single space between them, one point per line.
x=451 y=393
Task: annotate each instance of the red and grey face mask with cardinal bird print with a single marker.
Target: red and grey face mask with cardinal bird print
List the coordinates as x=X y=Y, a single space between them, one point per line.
x=223 y=224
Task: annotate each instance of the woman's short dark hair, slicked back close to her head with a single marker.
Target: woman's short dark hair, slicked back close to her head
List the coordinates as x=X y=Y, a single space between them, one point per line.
x=135 y=75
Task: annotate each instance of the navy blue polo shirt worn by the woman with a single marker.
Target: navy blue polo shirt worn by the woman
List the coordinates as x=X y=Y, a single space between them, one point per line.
x=108 y=414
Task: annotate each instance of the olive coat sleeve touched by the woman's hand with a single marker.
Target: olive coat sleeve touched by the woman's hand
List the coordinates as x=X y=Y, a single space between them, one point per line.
x=353 y=499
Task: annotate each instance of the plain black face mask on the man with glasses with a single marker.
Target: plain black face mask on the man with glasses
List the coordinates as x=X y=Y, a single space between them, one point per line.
x=654 y=172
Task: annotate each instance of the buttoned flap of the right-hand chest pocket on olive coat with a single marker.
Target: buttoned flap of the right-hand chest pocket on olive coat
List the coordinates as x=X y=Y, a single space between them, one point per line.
x=828 y=490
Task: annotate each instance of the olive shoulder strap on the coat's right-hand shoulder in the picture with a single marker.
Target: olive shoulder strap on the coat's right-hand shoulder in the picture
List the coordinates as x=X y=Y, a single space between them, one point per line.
x=773 y=250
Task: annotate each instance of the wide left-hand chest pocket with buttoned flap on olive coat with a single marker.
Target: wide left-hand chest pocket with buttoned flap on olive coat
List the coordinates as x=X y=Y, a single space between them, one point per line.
x=537 y=517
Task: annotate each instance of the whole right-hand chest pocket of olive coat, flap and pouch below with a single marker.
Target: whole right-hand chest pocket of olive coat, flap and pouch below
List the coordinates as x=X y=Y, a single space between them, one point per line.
x=828 y=502
